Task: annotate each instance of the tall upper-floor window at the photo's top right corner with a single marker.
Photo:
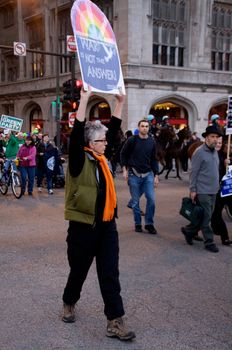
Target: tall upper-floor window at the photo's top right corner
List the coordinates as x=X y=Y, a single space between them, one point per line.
x=221 y=48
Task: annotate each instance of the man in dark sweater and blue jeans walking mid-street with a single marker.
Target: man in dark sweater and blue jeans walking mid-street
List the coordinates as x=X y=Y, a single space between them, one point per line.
x=140 y=169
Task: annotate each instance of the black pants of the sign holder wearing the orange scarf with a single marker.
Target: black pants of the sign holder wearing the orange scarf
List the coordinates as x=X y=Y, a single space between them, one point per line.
x=85 y=243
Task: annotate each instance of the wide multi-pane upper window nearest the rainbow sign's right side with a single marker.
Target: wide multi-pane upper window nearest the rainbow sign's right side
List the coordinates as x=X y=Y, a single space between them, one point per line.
x=169 y=27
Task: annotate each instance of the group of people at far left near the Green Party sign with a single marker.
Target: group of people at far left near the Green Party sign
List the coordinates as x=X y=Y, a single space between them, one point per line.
x=36 y=157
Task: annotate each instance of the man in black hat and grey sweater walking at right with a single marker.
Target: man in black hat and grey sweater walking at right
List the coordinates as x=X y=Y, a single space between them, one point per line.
x=204 y=185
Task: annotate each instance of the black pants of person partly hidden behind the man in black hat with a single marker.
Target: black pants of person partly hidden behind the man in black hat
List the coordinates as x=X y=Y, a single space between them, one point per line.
x=217 y=222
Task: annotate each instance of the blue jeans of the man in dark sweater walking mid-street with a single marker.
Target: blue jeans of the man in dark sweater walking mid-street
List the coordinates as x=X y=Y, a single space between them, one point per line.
x=139 y=186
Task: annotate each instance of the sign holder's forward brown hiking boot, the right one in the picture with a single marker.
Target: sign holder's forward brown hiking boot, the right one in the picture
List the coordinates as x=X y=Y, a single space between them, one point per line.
x=117 y=329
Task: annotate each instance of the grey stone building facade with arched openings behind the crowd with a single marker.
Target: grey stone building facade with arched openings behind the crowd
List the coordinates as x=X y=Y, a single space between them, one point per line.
x=176 y=58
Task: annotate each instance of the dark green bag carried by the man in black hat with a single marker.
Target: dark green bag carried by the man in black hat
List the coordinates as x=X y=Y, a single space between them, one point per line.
x=191 y=211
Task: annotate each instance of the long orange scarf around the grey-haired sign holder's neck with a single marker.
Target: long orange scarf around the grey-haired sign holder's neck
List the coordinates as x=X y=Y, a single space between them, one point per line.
x=110 y=202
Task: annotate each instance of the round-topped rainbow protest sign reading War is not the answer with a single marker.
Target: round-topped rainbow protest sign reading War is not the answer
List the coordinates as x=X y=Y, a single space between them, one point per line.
x=97 y=49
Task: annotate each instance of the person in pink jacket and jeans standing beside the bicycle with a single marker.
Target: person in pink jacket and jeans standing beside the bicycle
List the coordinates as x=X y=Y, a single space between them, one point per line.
x=27 y=164
